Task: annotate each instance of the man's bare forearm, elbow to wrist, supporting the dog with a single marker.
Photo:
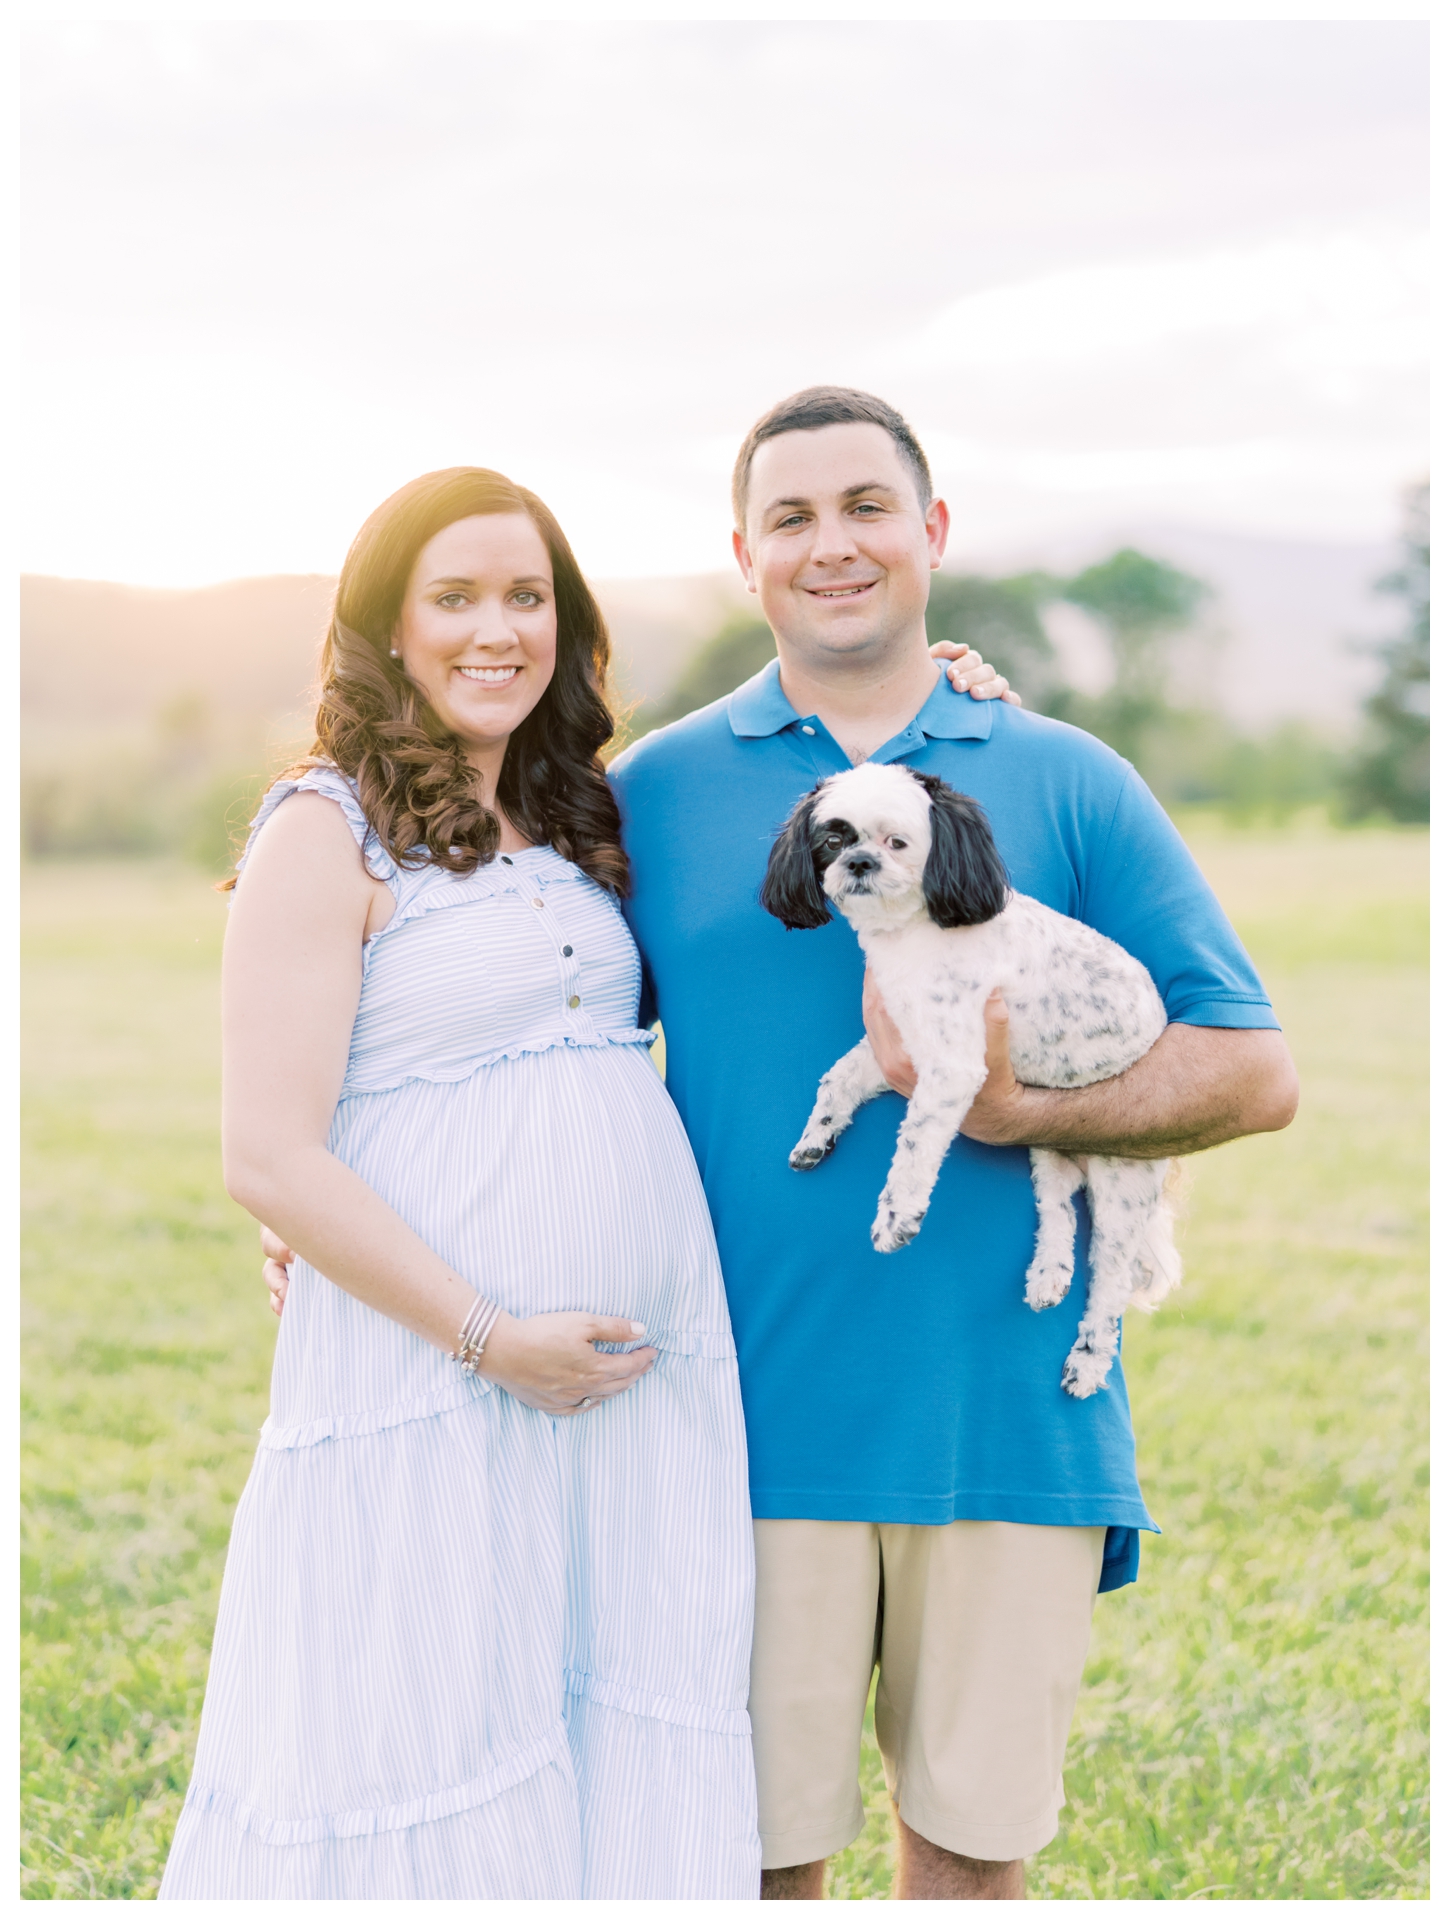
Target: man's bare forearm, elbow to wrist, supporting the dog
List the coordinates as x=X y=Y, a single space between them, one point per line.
x=1196 y=1088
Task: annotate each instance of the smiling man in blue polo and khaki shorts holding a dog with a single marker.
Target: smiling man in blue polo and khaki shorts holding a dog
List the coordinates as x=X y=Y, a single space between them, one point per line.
x=929 y=1500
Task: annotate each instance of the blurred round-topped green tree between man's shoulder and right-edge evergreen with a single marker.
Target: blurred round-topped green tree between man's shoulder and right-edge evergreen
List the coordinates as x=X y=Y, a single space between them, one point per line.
x=1142 y=604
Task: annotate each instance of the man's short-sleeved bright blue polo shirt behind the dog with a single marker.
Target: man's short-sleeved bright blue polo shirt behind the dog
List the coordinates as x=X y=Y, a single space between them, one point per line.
x=919 y=1385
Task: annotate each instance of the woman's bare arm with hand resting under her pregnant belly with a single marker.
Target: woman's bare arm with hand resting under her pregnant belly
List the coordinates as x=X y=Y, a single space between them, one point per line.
x=291 y=980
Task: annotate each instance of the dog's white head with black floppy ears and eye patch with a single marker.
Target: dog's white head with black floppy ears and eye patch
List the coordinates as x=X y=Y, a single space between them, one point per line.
x=884 y=844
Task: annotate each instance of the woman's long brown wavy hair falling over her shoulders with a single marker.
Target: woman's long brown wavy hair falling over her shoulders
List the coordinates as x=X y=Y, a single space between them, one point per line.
x=414 y=777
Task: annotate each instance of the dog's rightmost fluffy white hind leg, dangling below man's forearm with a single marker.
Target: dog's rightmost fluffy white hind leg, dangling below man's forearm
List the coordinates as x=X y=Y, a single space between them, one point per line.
x=1126 y=1260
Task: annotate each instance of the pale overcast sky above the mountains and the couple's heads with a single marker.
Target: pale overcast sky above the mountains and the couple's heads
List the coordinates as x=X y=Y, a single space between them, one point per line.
x=1117 y=276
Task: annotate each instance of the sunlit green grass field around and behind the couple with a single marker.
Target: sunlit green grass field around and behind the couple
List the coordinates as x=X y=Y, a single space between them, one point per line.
x=1255 y=1714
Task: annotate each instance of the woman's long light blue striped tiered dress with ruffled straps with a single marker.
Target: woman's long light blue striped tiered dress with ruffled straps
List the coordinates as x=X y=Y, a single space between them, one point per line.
x=468 y=1650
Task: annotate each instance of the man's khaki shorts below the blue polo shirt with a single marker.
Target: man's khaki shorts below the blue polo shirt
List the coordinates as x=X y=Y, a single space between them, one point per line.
x=980 y=1631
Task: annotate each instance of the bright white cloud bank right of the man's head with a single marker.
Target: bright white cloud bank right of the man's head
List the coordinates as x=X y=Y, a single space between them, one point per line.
x=1272 y=389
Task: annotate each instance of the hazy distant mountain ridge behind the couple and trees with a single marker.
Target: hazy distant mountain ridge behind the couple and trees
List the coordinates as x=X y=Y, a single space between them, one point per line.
x=105 y=658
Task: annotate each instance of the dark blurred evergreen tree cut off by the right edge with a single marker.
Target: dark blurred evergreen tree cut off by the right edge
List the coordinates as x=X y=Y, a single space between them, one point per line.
x=1391 y=775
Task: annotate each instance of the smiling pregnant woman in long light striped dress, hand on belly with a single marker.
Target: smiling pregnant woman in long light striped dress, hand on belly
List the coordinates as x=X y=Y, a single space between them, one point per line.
x=485 y=1627
